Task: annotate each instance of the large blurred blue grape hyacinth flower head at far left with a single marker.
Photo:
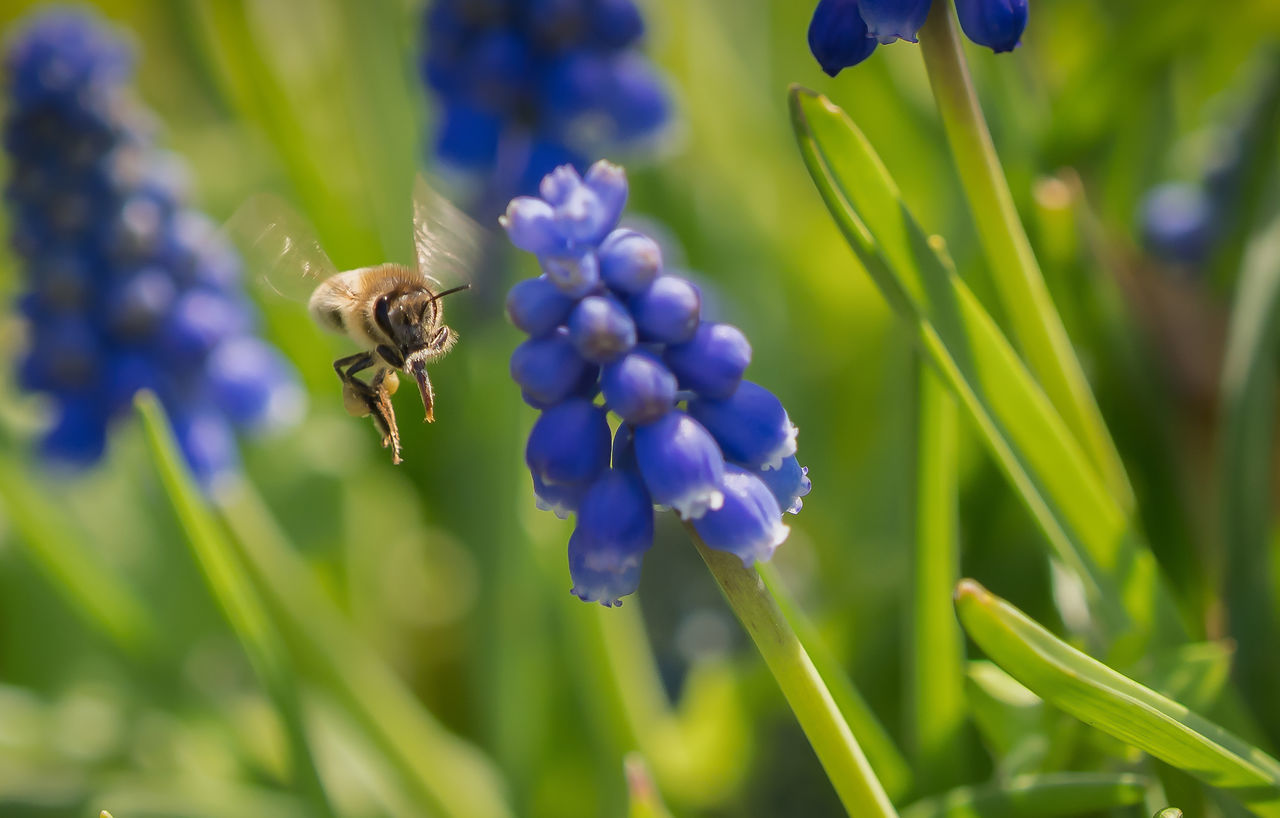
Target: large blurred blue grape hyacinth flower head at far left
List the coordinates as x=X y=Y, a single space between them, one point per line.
x=126 y=287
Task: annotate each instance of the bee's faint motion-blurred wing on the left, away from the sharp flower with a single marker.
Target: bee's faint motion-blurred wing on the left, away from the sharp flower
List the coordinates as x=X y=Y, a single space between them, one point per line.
x=282 y=254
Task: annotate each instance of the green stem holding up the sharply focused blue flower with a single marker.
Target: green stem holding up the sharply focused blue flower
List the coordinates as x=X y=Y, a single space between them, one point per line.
x=804 y=689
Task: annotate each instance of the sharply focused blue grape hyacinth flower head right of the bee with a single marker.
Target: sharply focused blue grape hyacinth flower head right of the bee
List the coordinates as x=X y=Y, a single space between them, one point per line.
x=692 y=436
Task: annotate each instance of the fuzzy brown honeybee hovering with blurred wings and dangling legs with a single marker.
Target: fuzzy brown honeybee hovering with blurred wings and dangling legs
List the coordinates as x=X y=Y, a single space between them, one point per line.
x=395 y=313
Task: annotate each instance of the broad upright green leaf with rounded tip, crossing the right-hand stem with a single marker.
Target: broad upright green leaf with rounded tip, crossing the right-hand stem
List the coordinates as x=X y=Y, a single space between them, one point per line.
x=1082 y=522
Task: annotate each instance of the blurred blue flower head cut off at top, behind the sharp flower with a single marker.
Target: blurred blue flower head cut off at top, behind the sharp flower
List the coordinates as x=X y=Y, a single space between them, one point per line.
x=529 y=85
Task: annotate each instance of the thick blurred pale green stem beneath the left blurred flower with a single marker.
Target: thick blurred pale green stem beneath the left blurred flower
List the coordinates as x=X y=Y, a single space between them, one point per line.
x=442 y=770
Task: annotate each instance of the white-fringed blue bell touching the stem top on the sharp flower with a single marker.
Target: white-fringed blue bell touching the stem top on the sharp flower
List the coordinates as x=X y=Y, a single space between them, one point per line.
x=748 y=524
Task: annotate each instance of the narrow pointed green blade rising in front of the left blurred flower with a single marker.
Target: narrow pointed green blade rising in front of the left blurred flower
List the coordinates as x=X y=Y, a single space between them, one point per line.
x=236 y=597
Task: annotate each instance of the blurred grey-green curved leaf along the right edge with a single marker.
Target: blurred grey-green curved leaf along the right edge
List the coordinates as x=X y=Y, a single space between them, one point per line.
x=1245 y=478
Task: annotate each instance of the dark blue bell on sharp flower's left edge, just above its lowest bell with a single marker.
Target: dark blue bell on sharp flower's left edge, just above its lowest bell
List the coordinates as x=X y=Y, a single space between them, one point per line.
x=570 y=444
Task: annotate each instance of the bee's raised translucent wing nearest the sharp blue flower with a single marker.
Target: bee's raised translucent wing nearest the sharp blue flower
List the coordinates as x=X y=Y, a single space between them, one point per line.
x=446 y=240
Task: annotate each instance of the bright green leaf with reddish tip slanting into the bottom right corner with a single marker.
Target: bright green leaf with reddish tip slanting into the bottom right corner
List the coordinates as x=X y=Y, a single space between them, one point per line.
x=1117 y=705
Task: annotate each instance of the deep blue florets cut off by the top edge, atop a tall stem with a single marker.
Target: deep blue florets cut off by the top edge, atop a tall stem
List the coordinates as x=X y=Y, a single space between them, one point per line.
x=845 y=33
